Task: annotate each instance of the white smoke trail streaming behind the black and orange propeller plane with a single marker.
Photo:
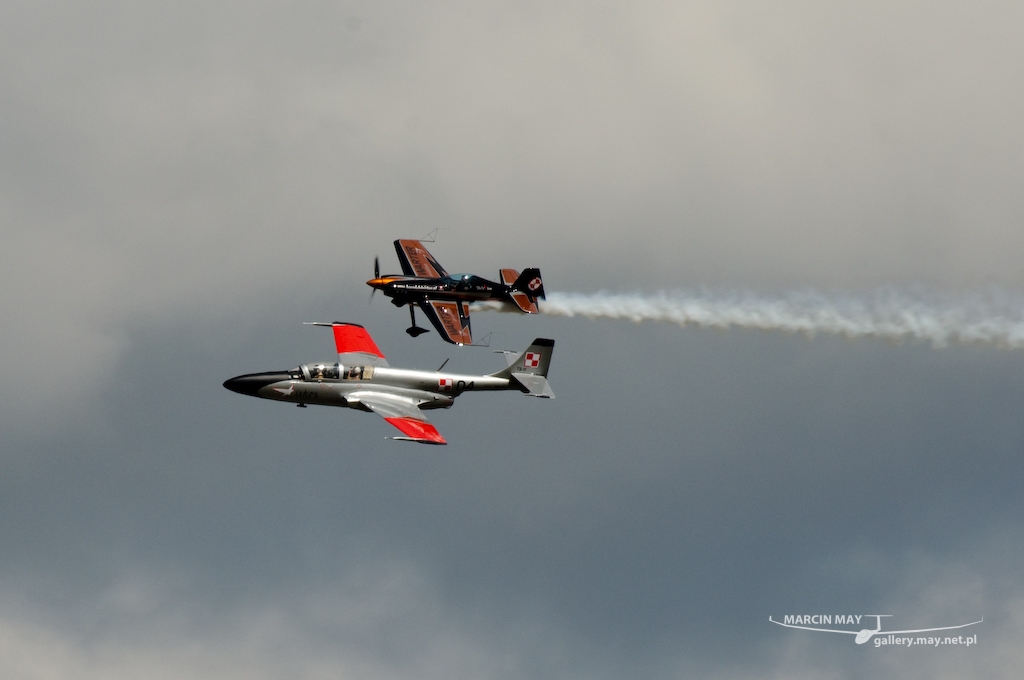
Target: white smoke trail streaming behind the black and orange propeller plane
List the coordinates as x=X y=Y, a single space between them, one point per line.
x=992 y=319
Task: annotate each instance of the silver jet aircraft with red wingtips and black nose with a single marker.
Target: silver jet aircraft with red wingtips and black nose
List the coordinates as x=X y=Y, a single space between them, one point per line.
x=362 y=379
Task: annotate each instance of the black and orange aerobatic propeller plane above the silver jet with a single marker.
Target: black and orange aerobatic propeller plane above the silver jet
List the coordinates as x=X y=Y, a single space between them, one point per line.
x=445 y=299
